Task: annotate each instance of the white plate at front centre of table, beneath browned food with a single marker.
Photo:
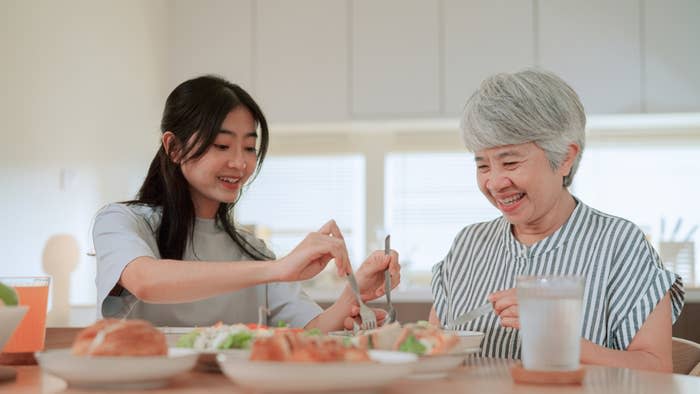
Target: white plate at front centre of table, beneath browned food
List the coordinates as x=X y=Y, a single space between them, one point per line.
x=319 y=377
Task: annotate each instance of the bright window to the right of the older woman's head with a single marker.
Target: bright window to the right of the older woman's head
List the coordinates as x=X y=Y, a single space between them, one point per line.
x=648 y=183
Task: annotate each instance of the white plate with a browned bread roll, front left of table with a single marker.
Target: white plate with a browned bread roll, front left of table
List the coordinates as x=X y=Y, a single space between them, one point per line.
x=118 y=354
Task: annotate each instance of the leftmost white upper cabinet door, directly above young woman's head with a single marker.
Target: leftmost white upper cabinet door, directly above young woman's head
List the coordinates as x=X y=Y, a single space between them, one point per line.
x=210 y=37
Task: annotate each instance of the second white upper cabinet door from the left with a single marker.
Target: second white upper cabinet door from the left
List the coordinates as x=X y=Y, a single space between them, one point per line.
x=301 y=60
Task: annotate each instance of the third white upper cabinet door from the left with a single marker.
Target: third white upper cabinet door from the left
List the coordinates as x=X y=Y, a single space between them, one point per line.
x=395 y=58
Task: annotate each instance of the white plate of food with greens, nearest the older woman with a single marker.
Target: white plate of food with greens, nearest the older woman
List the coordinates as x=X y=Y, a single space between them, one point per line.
x=438 y=351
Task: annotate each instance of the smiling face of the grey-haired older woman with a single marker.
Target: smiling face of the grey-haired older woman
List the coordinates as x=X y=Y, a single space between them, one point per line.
x=520 y=182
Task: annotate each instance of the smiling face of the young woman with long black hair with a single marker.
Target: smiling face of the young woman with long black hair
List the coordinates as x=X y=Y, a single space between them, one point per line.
x=218 y=175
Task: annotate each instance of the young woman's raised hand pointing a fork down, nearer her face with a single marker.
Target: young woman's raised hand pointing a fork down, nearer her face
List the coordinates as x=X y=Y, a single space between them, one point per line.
x=313 y=254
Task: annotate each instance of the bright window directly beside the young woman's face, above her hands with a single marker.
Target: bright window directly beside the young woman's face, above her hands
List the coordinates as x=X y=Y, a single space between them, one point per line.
x=294 y=195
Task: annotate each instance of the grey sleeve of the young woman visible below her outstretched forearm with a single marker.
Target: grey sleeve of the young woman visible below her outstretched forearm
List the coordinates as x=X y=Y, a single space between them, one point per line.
x=287 y=302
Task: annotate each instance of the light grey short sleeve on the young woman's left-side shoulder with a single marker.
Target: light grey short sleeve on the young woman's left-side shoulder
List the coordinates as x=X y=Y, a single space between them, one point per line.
x=118 y=241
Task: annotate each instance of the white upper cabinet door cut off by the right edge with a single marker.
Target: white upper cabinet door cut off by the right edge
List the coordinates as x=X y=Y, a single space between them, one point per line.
x=672 y=55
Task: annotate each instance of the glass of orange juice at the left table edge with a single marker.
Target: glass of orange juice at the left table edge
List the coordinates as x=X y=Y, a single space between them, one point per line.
x=29 y=334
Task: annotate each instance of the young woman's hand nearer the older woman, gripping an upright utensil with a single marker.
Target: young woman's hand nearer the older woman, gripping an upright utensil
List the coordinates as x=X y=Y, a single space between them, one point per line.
x=370 y=275
